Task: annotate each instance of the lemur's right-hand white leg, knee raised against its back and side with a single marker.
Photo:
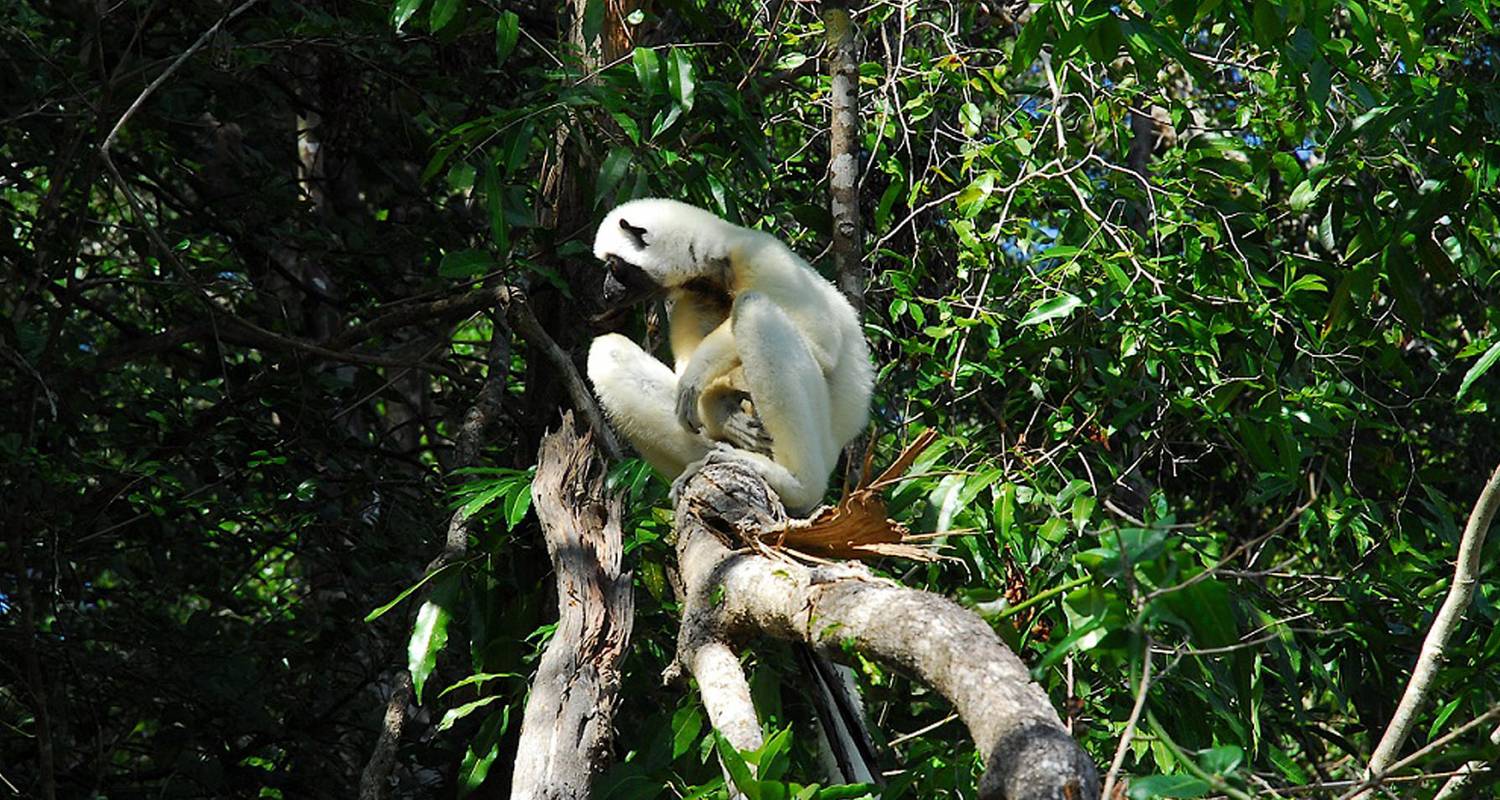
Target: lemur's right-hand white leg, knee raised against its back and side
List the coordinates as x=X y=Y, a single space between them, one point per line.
x=791 y=398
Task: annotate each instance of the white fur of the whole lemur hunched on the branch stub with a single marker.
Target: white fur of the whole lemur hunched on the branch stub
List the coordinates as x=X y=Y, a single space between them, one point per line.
x=800 y=344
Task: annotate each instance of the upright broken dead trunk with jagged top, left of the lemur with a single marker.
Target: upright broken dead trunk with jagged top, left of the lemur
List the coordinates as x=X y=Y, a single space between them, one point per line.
x=568 y=727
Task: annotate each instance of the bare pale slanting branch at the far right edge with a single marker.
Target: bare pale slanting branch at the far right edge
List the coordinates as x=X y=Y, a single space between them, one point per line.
x=1466 y=577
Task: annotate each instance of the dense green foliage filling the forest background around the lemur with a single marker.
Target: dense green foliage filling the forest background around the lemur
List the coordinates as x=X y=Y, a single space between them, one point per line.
x=1220 y=398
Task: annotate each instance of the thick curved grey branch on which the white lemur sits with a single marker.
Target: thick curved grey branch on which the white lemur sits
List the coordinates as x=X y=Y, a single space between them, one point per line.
x=734 y=595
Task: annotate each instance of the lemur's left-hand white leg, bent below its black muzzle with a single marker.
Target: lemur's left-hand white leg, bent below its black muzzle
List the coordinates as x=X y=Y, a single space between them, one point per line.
x=638 y=394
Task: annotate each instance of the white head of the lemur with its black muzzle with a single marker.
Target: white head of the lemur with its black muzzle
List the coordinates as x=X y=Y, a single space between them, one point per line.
x=655 y=245
